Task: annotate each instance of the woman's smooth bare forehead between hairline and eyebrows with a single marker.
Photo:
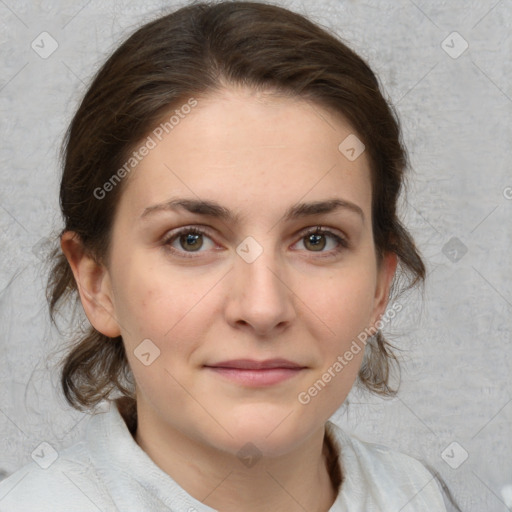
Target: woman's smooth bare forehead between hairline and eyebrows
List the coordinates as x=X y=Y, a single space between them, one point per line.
x=249 y=148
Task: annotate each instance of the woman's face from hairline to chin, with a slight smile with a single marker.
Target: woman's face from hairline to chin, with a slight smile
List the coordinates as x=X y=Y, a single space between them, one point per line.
x=245 y=302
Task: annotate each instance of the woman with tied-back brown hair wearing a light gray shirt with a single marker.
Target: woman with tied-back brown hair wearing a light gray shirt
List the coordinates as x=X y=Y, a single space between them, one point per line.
x=229 y=194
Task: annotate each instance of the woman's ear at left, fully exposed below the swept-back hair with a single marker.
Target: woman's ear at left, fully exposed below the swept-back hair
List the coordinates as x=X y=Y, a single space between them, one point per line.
x=93 y=282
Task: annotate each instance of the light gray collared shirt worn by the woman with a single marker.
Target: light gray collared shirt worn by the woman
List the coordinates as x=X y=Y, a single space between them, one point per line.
x=107 y=471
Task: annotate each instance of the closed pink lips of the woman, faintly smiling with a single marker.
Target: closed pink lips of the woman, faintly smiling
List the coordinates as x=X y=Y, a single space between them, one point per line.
x=248 y=372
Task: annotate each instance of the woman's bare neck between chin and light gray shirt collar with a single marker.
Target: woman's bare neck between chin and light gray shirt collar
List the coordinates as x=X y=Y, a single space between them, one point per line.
x=221 y=481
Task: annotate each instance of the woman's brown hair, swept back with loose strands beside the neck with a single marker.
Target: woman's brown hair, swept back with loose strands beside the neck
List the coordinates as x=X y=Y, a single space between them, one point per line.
x=191 y=52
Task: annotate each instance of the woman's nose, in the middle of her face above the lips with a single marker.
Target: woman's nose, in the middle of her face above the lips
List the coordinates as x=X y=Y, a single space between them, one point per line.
x=259 y=297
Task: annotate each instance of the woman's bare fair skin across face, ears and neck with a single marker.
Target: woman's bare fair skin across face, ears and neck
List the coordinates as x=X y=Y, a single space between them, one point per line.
x=256 y=154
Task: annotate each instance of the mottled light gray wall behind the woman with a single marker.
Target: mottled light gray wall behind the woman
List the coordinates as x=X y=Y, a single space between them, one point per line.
x=455 y=112
